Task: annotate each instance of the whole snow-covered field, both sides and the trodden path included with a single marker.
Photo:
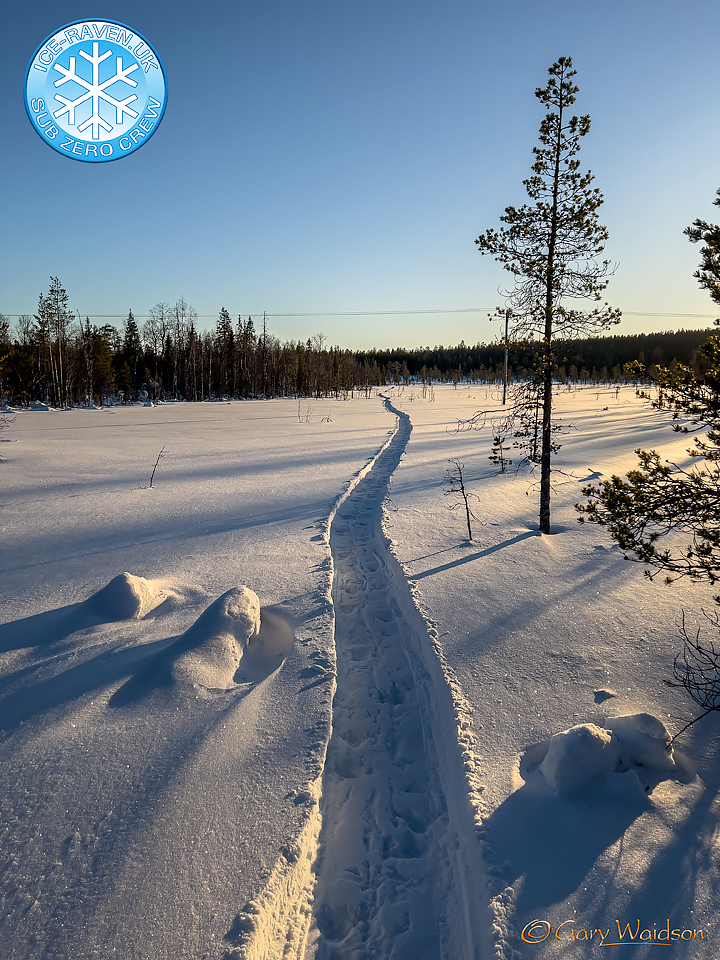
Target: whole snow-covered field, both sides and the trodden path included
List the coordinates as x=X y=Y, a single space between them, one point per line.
x=352 y=767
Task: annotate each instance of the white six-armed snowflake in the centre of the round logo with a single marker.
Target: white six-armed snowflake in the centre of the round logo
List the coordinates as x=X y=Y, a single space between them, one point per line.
x=96 y=92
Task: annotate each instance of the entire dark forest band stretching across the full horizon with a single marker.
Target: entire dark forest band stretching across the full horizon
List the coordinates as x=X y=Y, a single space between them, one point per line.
x=56 y=358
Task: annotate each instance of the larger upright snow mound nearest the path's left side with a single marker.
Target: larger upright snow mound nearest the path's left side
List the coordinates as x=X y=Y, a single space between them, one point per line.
x=214 y=645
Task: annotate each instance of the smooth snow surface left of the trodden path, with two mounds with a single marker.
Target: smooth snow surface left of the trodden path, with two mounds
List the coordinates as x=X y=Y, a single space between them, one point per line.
x=151 y=787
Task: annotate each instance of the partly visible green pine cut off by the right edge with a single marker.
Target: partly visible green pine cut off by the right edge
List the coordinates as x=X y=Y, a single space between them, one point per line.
x=661 y=499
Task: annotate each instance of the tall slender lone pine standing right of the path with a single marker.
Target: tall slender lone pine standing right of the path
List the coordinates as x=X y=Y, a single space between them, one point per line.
x=551 y=246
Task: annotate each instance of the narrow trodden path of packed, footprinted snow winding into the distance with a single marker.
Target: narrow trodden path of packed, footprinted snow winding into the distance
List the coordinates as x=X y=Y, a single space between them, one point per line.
x=385 y=876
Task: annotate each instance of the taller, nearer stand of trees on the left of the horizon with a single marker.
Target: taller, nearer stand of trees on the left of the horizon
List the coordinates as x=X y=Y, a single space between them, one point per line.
x=57 y=358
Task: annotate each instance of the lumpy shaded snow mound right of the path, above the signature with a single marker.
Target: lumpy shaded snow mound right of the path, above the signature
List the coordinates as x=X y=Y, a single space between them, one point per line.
x=587 y=752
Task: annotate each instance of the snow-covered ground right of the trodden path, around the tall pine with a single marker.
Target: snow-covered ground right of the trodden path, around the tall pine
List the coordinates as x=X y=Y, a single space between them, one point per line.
x=544 y=633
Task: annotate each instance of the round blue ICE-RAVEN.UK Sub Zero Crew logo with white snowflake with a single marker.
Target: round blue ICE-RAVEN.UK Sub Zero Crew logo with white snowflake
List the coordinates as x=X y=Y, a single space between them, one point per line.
x=95 y=90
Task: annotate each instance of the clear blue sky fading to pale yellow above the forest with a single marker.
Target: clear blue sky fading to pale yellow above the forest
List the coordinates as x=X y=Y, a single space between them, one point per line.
x=326 y=156
